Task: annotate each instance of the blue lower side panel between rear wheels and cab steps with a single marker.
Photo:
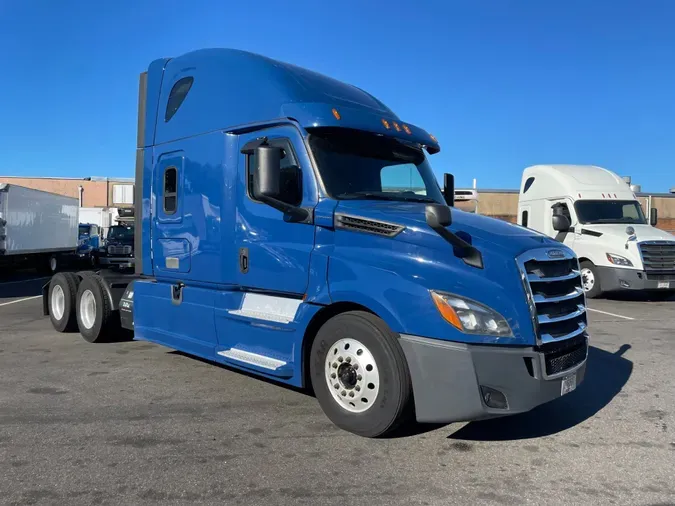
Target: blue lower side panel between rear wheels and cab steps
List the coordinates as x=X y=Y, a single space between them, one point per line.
x=188 y=326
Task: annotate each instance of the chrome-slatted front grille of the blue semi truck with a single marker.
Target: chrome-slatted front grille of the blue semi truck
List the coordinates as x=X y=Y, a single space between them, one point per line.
x=555 y=294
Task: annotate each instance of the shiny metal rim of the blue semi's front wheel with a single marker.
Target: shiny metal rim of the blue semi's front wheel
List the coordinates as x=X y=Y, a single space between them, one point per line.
x=352 y=375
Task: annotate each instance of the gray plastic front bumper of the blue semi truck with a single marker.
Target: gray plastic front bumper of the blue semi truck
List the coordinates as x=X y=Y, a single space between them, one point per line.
x=447 y=379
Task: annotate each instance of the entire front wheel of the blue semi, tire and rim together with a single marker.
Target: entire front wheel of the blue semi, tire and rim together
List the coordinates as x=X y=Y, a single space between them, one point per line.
x=360 y=375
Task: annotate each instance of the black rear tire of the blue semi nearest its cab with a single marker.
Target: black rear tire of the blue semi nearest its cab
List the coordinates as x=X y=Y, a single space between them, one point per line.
x=106 y=321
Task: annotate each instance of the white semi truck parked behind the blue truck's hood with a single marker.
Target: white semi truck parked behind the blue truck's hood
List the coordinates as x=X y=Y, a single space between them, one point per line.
x=595 y=212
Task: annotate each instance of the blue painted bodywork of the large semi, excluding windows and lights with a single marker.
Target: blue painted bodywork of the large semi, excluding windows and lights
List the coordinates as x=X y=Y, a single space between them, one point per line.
x=237 y=97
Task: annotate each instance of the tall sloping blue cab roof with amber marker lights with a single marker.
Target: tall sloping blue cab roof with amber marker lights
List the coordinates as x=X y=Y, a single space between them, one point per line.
x=230 y=89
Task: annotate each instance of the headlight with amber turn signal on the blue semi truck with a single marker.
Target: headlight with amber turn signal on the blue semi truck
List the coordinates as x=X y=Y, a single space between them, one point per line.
x=469 y=316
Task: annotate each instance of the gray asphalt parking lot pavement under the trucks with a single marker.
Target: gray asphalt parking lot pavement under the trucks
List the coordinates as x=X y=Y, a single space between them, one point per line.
x=136 y=423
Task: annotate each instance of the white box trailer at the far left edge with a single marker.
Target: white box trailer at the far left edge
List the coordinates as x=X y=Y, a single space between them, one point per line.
x=37 y=229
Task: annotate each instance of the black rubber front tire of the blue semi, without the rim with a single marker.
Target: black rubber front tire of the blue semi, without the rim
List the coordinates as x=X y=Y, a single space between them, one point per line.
x=393 y=405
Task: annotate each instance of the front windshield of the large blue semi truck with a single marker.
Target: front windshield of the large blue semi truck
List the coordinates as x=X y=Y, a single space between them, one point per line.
x=360 y=165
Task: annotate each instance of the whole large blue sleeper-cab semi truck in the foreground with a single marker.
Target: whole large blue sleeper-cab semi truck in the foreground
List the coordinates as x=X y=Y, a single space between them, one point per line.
x=290 y=225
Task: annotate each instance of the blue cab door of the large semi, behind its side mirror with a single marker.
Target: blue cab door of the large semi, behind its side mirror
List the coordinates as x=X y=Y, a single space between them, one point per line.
x=273 y=252
